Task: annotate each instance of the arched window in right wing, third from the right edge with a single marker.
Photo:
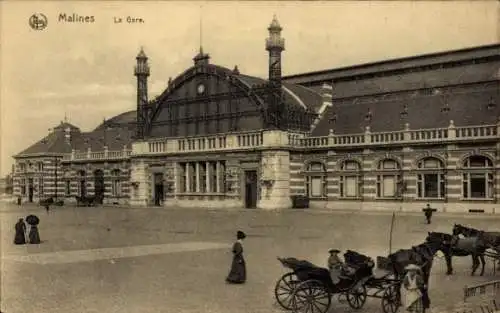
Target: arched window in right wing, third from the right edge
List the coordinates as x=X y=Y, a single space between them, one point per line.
x=388 y=178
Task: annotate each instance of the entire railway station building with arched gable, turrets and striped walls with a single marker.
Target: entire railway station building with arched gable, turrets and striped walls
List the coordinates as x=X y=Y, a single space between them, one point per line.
x=390 y=135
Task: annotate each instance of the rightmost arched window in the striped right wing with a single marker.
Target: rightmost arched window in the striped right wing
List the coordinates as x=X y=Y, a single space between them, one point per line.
x=477 y=178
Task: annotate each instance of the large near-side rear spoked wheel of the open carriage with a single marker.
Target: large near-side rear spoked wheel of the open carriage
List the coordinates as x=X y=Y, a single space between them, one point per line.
x=311 y=297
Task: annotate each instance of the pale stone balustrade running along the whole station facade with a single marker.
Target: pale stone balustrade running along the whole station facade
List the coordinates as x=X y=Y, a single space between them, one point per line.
x=258 y=139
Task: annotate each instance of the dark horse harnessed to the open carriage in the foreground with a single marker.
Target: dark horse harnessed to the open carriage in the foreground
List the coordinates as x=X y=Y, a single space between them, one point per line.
x=421 y=255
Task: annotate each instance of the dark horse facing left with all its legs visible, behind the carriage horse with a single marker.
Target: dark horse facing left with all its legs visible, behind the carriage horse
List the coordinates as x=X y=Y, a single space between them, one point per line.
x=455 y=246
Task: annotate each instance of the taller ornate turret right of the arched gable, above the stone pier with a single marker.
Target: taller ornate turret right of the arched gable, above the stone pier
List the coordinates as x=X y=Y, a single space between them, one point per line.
x=275 y=45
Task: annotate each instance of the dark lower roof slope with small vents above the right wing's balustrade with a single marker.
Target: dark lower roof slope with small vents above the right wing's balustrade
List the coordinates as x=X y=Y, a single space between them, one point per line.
x=466 y=109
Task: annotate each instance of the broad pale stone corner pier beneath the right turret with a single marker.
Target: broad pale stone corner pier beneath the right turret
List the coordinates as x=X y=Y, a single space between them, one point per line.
x=275 y=172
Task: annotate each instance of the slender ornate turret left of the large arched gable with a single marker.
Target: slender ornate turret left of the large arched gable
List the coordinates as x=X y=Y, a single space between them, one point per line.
x=141 y=71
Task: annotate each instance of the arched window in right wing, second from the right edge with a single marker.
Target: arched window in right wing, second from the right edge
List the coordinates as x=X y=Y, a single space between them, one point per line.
x=431 y=178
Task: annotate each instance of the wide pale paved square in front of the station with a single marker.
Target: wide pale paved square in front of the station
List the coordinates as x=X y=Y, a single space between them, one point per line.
x=158 y=260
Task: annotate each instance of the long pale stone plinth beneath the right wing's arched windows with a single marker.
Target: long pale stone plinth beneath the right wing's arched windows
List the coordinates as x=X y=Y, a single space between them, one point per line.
x=459 y=207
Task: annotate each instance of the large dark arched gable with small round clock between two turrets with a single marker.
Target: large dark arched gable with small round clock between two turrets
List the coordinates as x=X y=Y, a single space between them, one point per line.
x=227 y=102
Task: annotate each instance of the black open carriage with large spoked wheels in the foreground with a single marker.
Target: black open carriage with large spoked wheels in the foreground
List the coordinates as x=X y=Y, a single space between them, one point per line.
x=309 y=288
